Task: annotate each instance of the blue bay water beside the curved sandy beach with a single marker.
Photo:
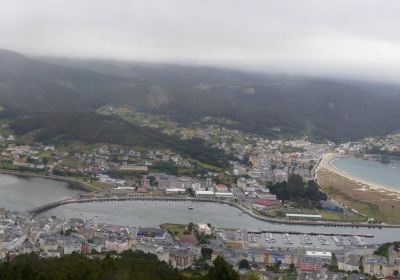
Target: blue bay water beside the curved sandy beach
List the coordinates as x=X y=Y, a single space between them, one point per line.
x=371 y=171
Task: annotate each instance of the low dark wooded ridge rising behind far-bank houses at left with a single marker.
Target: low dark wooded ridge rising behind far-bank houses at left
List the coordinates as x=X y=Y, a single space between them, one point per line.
x=94 y=128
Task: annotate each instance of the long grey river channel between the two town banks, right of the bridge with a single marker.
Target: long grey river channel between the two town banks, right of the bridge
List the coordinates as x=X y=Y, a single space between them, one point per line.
x=147 y=213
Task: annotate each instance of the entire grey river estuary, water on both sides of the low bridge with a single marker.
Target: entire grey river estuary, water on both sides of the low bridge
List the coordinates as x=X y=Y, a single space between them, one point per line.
x=17 y=193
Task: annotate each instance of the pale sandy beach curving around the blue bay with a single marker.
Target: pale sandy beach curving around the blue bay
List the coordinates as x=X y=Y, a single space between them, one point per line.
x=326 y=163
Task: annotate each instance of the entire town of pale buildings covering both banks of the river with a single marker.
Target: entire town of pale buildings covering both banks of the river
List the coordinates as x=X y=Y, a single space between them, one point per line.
x=114 y=172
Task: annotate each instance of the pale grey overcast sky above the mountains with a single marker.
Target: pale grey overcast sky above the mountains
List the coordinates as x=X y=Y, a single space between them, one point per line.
x=339 y=37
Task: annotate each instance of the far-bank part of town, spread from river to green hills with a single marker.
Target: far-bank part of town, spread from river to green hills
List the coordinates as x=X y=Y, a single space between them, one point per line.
x=257 y=163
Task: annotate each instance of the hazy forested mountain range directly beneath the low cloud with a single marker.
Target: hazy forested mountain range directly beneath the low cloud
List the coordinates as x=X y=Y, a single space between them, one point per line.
x=329 y=108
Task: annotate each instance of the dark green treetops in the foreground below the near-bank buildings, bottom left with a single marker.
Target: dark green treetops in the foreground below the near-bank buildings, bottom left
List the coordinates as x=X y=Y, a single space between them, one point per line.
x=128 y=265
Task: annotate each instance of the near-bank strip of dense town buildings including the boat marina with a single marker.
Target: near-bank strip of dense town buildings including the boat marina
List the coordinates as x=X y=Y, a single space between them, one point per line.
x=265 y=254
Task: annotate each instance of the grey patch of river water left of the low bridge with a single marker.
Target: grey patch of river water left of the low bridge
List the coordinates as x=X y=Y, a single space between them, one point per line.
x=18 y=193
